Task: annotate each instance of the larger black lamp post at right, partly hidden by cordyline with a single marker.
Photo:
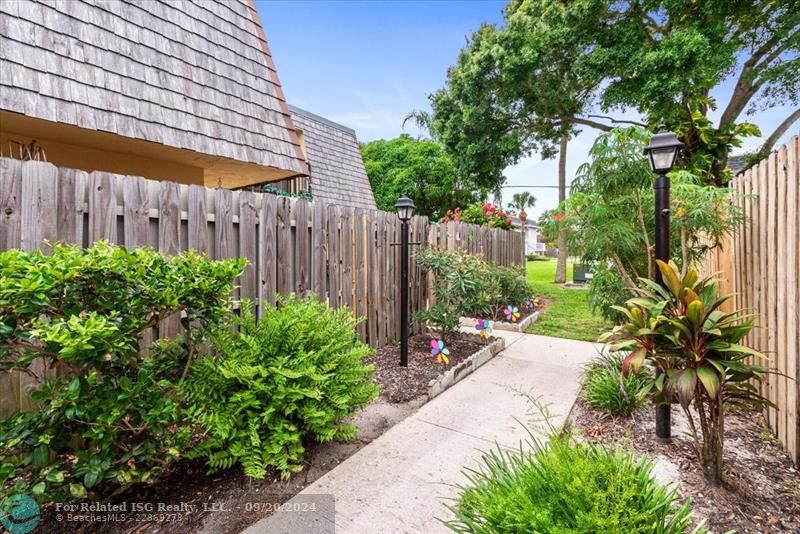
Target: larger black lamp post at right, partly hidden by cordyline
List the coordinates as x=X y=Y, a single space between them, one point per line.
x=662 y=152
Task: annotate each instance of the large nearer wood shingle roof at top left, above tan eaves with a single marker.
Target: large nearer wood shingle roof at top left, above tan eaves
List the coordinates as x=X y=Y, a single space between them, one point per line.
x=192 y=75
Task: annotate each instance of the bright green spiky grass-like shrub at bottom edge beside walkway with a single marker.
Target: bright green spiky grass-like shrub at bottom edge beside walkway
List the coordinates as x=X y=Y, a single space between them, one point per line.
x=565 y=486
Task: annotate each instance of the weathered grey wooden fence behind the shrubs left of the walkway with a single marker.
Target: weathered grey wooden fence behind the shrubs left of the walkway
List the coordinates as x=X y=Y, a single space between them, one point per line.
x=345 y=255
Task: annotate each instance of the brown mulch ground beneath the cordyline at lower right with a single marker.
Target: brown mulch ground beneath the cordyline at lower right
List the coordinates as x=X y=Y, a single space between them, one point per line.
x=761 y=492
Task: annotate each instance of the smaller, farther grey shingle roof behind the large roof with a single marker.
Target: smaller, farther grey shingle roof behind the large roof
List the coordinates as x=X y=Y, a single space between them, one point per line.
x=337 y=169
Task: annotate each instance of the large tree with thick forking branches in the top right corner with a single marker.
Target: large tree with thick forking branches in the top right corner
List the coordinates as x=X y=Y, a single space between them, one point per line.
x=669 y=61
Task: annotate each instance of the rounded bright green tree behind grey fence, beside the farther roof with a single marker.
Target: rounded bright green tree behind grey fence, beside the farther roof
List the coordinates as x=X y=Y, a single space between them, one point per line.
x=418 y=167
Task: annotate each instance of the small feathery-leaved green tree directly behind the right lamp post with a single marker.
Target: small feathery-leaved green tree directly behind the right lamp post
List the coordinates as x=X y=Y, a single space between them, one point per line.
x=609 y=218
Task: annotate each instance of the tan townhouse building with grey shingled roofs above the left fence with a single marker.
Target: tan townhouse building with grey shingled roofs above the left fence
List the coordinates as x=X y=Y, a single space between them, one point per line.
x=180 y=91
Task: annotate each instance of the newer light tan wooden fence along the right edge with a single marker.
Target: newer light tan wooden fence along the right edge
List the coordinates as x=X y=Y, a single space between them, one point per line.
x=761 y=265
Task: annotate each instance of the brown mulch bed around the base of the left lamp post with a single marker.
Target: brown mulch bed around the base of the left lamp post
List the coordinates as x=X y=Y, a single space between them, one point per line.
x=402 y=384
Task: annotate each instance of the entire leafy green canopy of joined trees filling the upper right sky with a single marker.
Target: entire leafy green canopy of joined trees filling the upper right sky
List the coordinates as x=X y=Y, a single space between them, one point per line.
x=518 y=88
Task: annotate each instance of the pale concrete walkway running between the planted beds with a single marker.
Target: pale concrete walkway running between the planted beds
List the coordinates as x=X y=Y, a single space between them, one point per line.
x=402 y=481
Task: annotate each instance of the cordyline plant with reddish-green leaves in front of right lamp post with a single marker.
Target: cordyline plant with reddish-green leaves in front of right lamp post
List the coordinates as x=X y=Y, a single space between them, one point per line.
x=681 y=331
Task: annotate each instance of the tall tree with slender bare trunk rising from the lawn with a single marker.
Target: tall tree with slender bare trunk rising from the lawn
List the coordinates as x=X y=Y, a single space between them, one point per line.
x=514 y=91
